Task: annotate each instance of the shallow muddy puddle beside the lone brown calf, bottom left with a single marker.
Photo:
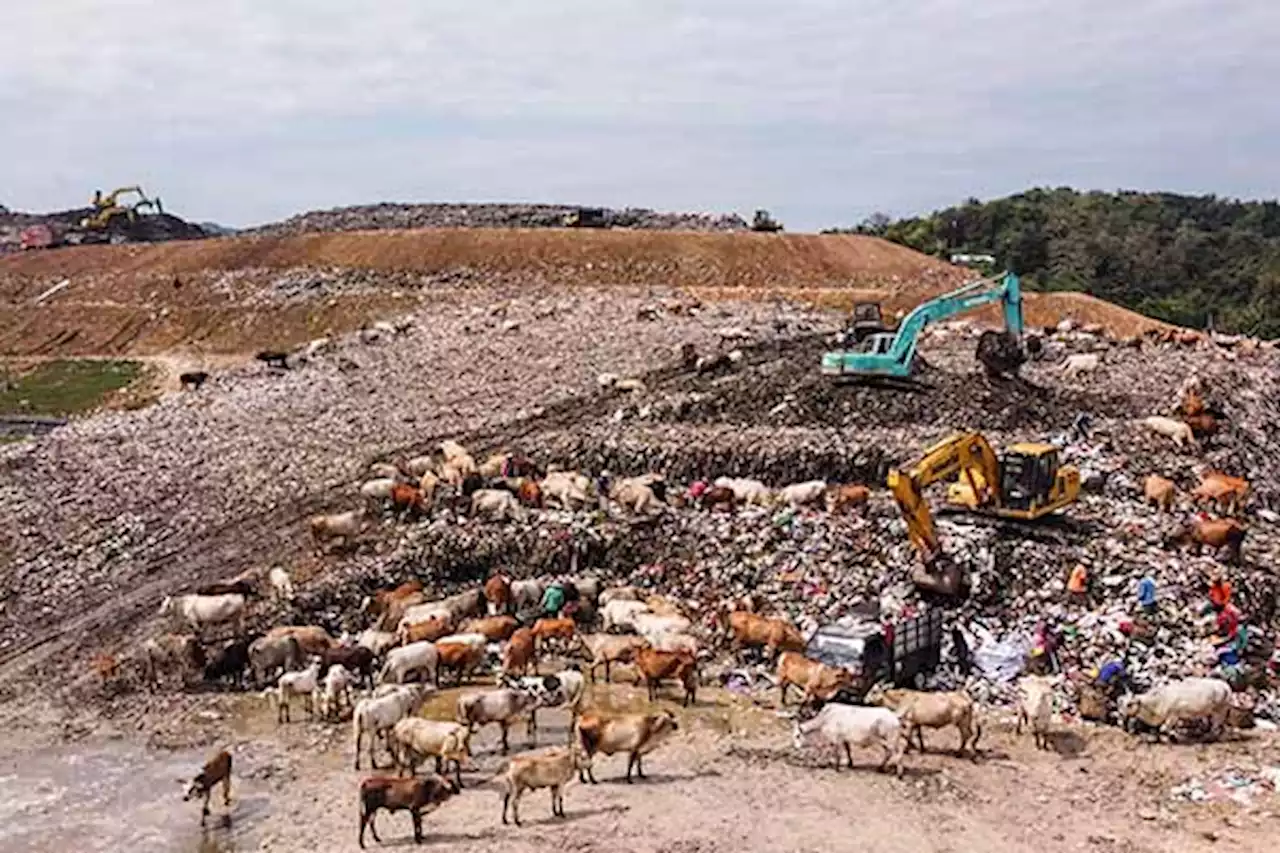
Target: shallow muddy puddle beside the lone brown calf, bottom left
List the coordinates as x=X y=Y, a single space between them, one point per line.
x=111 y=799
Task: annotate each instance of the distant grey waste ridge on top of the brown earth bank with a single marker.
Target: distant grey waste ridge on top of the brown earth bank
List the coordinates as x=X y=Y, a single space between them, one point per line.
x=488 y=216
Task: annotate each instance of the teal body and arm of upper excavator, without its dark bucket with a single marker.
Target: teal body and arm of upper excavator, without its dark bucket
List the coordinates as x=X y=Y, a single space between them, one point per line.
x=897 y=362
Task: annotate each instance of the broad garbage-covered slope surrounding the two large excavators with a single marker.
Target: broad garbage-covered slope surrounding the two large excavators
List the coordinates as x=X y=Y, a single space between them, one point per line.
x=109 y=514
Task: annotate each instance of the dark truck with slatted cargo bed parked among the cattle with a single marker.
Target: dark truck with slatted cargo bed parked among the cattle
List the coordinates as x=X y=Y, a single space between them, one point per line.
x=900 y=654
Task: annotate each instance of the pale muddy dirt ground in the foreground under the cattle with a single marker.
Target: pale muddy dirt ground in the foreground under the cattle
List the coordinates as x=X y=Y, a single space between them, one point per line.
x=729 y=782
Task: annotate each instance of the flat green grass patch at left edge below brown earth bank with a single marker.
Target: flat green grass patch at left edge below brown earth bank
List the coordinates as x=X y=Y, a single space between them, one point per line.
x=65 y=387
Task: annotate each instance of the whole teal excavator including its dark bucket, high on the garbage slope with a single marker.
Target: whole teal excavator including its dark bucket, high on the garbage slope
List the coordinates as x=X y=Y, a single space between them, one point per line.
x=892 y=355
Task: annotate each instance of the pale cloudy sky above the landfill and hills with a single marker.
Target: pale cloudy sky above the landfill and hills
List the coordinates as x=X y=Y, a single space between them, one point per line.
x=824 y=112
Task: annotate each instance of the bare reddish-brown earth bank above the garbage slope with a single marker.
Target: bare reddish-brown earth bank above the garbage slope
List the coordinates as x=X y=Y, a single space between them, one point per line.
x=241 y=295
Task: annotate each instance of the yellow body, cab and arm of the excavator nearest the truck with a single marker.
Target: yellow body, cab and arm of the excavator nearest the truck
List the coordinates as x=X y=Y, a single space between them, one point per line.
x=1027 y=482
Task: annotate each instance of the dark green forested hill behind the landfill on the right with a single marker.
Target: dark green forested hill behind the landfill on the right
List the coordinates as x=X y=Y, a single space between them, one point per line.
x=1194 y=261
